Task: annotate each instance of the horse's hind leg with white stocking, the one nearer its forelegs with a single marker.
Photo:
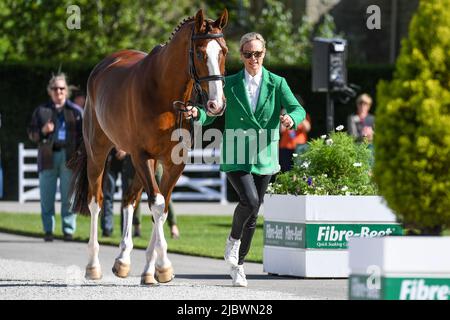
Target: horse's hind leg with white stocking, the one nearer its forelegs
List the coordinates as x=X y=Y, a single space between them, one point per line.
x=130 y=201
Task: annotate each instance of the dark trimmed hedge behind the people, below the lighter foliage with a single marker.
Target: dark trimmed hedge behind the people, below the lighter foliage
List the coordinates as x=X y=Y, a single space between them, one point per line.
x=22 y=88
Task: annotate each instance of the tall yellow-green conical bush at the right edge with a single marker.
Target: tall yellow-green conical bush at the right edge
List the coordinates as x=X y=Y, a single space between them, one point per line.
x=413 y=123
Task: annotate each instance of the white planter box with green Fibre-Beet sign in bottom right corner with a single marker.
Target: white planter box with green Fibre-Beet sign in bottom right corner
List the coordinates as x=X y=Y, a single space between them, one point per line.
x=400 y=268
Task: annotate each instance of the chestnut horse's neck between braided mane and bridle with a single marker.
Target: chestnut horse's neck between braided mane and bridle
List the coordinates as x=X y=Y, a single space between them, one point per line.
x=168 y=67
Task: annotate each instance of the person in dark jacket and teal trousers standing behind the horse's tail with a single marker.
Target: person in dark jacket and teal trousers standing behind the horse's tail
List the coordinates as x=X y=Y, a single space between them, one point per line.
x=56 y=127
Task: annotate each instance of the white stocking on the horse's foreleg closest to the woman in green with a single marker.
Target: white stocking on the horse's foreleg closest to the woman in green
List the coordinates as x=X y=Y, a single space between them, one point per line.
x=160 y=217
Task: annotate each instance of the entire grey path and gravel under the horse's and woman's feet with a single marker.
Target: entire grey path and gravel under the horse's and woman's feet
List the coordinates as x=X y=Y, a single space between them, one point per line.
x=33 y=269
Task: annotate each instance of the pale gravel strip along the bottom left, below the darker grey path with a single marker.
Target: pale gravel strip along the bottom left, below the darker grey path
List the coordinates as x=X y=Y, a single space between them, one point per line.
x=32 y=280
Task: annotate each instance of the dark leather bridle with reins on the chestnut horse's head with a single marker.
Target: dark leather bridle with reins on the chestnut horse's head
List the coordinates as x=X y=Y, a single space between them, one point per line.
x=199 y=94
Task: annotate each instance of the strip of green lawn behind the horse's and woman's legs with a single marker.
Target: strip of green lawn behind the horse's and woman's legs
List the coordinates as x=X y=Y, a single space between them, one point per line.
x=199 y=235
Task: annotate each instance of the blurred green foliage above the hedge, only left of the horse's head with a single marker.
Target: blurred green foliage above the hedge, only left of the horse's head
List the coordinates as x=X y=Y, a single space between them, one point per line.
x=36 y=30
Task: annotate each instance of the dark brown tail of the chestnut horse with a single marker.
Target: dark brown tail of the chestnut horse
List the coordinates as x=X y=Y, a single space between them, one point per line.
x=79 y=186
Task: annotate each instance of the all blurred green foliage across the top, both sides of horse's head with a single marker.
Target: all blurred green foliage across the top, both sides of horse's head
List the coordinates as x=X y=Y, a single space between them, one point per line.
x=37 y=30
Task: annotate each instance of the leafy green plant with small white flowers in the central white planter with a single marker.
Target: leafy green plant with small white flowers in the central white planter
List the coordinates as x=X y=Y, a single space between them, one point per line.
x=333 y=165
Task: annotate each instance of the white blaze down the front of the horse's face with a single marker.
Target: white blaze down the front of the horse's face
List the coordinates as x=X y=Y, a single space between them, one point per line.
x=215 y=87
